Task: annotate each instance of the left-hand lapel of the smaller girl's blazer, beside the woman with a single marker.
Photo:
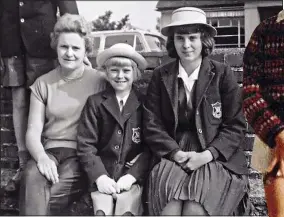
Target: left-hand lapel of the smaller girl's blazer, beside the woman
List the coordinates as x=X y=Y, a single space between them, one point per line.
x=111 y=104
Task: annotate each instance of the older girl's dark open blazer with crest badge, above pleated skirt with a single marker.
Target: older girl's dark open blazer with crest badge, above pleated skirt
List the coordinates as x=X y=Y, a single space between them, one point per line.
x=216 y=89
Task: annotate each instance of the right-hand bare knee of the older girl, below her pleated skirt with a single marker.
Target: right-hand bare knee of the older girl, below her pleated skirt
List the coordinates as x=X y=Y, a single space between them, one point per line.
x=192 y=208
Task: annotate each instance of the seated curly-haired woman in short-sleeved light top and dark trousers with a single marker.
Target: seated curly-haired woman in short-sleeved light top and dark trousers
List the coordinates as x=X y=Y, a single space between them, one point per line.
x=53 y=177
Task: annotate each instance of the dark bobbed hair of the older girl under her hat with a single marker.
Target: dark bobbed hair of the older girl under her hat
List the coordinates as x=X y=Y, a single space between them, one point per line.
x=207 y=40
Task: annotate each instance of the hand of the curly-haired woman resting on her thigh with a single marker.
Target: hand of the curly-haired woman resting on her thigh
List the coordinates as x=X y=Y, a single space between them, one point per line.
x=48 y=168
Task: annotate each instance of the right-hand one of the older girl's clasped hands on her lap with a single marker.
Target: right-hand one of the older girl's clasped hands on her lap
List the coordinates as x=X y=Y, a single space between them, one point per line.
x=196 y=160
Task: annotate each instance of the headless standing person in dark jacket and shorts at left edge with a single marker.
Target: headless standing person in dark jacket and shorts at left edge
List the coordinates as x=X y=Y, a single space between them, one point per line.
x=25 y=28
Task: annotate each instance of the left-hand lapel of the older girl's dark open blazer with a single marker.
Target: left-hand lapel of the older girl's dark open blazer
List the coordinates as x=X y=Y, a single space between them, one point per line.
x=169 y=77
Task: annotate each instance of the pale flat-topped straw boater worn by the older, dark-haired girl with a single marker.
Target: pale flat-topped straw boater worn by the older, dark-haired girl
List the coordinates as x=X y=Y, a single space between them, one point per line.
x=188 y=16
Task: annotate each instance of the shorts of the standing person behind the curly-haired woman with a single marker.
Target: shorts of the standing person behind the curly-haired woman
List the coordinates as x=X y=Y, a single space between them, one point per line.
x=24 y=70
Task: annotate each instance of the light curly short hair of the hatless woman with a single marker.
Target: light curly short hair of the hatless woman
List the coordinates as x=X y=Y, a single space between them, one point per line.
x=72 y=23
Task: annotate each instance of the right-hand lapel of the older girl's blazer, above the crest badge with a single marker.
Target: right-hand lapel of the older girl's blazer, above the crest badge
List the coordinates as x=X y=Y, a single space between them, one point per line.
x=206 y=75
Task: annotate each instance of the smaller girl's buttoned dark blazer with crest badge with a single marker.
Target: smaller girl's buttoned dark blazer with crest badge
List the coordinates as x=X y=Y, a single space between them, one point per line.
x=108 y=139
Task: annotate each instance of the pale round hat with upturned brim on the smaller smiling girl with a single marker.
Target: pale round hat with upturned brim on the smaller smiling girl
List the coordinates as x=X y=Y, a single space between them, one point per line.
x=121 y=50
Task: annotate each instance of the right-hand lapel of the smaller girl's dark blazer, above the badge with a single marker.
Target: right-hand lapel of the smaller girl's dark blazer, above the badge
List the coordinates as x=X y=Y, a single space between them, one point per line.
x=130 y=106
